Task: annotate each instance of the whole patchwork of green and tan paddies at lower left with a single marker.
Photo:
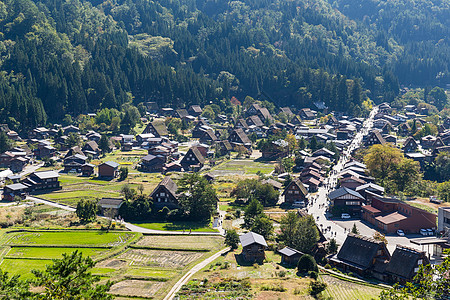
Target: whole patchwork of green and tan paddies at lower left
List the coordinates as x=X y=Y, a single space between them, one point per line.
x=141 y=267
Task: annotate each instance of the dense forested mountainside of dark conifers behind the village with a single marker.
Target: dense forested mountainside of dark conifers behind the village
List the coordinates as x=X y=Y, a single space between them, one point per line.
x=72 y=56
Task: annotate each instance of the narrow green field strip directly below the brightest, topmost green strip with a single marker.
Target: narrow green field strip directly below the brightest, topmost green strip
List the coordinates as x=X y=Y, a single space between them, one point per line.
x=50 y=253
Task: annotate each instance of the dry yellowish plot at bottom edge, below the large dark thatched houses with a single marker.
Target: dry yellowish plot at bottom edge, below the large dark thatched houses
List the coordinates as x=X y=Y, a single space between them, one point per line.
x=345 y=290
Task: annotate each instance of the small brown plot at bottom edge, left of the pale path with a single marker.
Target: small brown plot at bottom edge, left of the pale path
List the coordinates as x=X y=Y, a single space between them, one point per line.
x=136 y=288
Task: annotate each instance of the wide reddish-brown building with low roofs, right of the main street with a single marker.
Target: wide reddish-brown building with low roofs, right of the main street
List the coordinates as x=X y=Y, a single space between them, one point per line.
x=390 y=215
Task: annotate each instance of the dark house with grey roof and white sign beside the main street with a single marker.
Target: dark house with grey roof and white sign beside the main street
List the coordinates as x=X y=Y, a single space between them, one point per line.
x=346 y=200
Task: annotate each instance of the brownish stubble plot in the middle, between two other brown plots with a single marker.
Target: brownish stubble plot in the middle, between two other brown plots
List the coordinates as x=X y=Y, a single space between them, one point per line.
x=162 y=259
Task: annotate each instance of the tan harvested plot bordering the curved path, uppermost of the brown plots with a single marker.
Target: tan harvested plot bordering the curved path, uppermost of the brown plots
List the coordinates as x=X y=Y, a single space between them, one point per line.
x=181 y=242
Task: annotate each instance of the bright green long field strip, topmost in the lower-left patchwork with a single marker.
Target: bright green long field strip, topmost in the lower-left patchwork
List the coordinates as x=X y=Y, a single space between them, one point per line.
x=82 y=238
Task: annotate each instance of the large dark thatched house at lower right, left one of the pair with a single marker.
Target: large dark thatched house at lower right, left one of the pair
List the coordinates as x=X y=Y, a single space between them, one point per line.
x=362 y=255
